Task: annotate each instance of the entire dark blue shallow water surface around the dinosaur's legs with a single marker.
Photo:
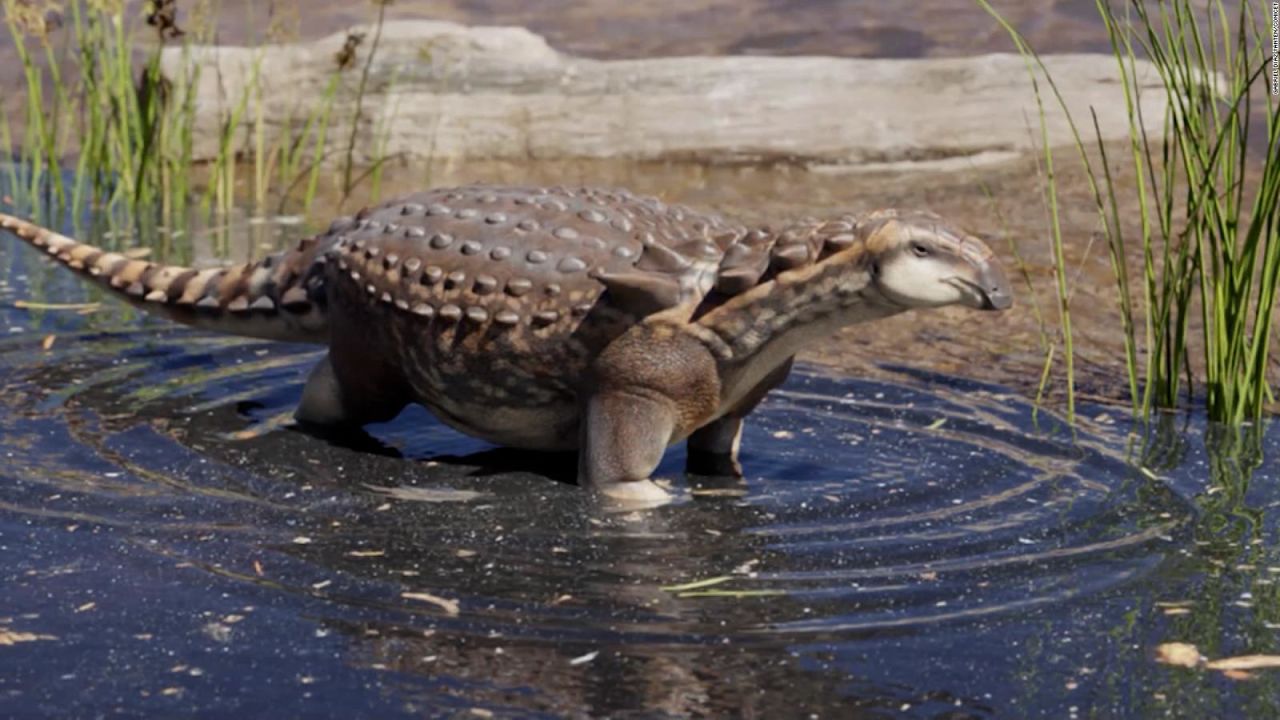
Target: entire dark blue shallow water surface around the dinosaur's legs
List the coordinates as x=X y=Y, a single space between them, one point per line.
x=917 y=546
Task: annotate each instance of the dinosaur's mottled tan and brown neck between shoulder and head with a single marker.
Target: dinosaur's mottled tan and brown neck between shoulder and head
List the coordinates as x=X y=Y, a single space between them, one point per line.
x=761 y=329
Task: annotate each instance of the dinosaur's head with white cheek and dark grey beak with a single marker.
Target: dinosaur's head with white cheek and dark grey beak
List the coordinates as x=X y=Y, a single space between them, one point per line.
x=918 y=261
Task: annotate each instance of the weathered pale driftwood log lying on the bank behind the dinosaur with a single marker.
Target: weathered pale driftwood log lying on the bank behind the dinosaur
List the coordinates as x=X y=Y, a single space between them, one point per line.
x=446 y=92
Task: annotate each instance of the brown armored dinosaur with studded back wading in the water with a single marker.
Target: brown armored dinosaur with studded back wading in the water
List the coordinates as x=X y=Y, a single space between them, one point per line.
x=563 y=320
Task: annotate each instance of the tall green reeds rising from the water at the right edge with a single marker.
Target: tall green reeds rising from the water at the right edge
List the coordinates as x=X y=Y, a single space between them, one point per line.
x=1206 y=258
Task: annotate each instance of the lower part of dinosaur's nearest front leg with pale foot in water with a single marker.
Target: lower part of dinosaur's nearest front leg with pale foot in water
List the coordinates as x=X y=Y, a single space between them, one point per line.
x=624 y=439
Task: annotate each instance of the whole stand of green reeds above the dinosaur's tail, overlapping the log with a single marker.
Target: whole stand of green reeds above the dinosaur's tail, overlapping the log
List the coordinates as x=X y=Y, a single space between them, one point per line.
x=104 y=127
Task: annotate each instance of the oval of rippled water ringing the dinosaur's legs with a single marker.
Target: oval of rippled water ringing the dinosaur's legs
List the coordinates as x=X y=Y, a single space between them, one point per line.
x=868 y=505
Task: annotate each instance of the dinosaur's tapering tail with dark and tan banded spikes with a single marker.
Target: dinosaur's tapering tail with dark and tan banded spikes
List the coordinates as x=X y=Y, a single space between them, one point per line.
x=278 y=298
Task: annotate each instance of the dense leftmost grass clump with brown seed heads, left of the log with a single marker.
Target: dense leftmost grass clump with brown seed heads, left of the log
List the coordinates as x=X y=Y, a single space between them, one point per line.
x=129 y=127
